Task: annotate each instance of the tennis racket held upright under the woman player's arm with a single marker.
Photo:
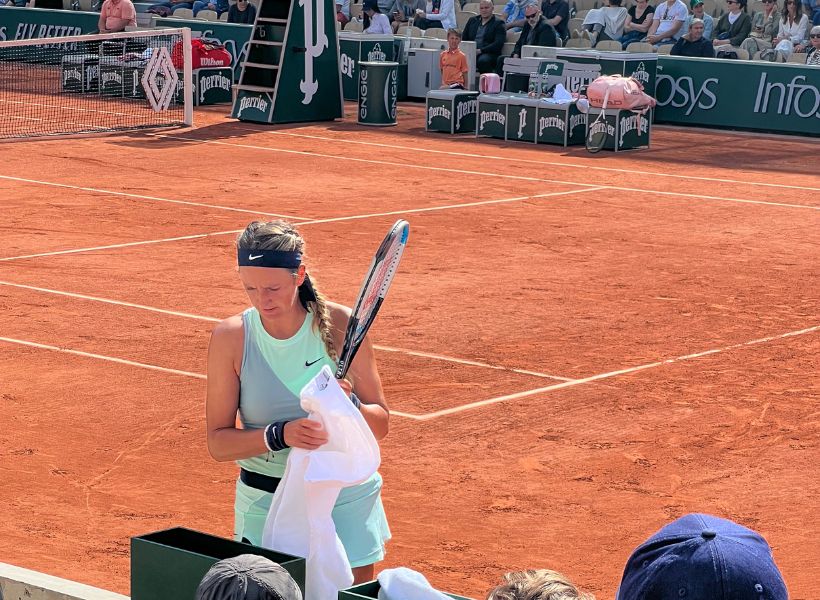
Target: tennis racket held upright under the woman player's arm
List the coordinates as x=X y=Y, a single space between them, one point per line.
x=372 y=294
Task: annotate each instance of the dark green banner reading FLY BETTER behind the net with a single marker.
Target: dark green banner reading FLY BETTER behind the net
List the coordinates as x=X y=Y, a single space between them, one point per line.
x=31 y=23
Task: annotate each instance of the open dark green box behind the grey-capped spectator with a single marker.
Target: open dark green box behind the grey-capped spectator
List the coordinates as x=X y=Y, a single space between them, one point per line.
x=169 y=564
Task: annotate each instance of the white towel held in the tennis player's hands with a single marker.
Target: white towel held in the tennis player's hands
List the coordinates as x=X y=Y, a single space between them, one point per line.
x=299 y=521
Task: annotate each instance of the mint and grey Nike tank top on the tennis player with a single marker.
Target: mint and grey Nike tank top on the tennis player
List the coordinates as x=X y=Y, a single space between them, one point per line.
x=273 y=372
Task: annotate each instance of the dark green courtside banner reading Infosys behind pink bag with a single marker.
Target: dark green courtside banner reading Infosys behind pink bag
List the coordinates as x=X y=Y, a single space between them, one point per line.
x=774 y=97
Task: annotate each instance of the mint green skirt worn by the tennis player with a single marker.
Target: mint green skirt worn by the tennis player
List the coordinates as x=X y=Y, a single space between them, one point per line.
x=358 y=515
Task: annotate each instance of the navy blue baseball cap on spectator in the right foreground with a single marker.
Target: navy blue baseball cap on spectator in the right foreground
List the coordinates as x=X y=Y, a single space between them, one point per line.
x=702 y=557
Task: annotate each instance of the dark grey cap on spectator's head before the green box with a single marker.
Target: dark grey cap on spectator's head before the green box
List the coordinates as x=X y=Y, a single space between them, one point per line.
x=247 y=577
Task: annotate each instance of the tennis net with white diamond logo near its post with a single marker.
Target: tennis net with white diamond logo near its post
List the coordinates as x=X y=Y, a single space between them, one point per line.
x=95 y=83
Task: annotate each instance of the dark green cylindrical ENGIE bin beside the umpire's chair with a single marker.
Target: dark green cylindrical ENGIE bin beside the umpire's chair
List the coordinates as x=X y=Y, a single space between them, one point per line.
x=378 y=93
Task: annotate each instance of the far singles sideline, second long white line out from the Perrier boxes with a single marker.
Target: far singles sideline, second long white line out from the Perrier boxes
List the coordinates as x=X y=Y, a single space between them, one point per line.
x=484 y=173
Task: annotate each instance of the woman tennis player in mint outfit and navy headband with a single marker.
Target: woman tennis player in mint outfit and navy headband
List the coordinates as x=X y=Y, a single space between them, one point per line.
x=258 y=361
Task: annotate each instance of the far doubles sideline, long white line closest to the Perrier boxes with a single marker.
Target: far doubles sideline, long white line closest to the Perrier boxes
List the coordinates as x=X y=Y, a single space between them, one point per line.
x=531 y=161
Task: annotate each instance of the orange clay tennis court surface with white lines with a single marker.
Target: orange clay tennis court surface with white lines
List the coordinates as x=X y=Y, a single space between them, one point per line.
x=577 y=349
